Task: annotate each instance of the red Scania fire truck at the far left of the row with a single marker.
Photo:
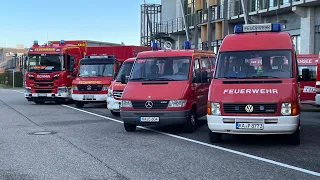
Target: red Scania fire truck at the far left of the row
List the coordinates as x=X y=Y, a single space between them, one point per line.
x=50 y=71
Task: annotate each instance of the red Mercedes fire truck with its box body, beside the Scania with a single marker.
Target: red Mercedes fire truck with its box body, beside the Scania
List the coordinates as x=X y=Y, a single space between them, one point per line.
x=97 y=70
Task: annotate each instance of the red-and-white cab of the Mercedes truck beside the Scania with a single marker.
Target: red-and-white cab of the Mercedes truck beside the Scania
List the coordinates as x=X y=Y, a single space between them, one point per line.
x=95 y=75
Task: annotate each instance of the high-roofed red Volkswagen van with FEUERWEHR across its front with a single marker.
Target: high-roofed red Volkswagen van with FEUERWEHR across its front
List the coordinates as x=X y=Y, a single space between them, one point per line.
x=245 y=100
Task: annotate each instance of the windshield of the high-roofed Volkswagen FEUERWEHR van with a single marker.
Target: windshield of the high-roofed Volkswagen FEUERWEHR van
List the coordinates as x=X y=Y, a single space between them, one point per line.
x=255 y=64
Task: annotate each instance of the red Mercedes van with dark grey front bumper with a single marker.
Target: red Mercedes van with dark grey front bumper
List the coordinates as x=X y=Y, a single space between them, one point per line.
x=167 y=87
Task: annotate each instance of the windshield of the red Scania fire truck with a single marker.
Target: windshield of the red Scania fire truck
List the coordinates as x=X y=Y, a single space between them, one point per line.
x=45 y=62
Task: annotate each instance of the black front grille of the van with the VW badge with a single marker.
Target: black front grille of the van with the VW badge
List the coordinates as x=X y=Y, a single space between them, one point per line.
x=258 y=108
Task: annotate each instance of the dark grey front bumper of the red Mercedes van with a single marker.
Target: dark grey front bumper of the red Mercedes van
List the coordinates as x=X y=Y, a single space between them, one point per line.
x=165 y=117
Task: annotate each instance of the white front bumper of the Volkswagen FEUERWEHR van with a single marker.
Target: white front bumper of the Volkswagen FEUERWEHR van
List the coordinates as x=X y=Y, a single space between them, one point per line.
x=271 y=124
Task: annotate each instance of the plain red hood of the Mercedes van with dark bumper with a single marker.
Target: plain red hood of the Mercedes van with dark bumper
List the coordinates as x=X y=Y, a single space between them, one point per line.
x=139 y=91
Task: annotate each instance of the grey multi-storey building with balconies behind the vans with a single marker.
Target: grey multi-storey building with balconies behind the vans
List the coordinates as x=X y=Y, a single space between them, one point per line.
x=209 y=21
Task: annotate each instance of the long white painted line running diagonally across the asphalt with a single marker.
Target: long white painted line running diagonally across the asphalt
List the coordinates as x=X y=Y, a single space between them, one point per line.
x=210 y=145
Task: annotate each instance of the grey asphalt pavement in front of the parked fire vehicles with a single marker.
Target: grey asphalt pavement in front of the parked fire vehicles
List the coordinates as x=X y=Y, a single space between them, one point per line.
x=53 y=141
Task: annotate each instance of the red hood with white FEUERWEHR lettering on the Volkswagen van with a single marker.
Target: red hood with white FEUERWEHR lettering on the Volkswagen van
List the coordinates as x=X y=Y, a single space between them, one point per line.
x=261 y=92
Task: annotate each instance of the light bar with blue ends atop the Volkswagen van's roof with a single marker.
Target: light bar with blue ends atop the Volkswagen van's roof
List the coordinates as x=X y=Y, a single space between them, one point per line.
x=268 y=27
